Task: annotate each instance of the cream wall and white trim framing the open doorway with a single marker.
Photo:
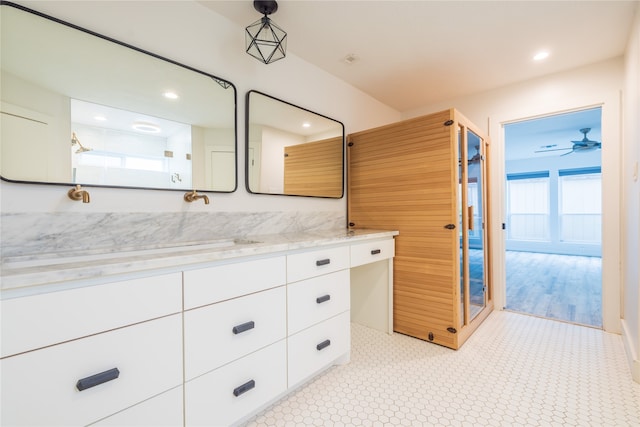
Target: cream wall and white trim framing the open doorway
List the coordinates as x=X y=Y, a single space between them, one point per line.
x=595 y=85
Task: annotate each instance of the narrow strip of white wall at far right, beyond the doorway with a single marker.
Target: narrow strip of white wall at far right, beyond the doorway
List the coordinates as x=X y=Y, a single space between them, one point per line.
x=631 y=201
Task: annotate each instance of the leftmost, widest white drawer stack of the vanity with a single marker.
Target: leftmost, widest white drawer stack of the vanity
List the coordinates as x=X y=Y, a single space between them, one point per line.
x=77 y=356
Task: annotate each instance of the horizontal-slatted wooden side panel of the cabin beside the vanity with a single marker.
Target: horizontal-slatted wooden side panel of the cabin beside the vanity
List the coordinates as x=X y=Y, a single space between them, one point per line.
x=403 y=177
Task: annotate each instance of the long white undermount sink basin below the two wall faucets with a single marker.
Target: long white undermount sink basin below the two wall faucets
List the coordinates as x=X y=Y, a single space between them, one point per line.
x=56 y=258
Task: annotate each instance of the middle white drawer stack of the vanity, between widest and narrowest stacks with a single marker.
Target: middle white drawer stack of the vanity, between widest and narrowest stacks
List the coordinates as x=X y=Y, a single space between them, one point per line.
x=234 y=339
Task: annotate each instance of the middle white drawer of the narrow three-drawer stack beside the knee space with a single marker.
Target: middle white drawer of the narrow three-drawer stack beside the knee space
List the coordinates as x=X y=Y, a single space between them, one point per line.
x=314 y=300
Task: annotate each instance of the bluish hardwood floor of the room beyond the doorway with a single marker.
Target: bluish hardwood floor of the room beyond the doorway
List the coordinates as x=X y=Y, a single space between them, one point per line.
x=561 y=287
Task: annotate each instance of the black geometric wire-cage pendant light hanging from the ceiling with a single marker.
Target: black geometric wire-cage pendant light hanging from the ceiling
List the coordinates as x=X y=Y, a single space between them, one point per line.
x=265 y=40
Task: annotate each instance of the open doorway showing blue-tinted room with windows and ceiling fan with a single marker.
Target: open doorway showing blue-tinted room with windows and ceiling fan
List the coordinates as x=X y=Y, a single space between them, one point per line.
x=553 y=202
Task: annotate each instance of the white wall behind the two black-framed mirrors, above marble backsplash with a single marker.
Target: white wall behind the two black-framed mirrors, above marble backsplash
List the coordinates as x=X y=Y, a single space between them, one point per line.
x=190 y=33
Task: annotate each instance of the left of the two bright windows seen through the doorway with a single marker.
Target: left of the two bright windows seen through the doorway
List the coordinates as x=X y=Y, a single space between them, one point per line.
x=528 y=206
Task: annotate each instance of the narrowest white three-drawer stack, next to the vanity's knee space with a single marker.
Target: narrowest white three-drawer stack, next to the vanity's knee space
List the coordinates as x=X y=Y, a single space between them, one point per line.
x=318 y=304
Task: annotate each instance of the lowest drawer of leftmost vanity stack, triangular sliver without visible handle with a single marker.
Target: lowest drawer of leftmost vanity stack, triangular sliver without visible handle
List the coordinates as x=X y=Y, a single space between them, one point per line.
x=164 y=410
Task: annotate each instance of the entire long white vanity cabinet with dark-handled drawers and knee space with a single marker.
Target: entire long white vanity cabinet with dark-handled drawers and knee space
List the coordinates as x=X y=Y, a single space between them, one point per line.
x=207 y=343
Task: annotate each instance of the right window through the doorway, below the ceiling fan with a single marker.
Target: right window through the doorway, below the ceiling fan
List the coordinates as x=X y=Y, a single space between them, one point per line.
x=580 y=205
